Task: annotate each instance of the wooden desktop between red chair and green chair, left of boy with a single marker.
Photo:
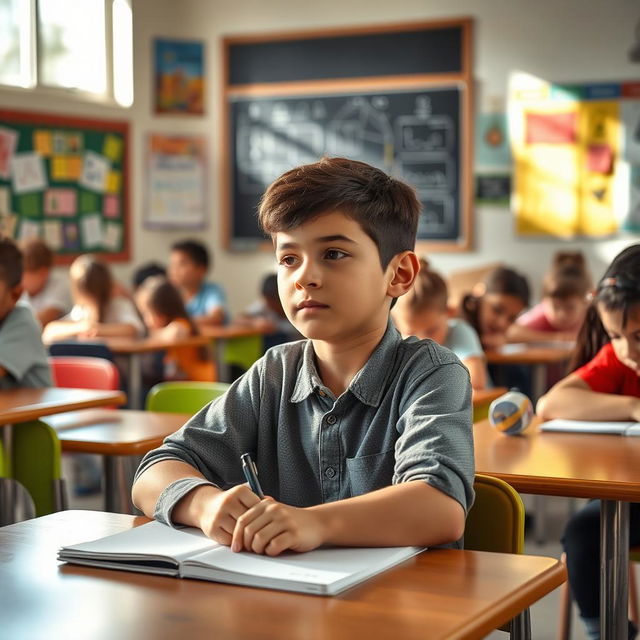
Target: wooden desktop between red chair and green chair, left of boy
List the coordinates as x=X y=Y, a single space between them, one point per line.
x=121 y=433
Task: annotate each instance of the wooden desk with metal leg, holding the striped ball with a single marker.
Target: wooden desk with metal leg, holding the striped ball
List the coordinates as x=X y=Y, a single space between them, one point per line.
x=576 y=465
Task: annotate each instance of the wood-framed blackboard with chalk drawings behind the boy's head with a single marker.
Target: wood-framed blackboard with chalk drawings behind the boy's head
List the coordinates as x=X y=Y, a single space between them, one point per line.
x=398 y=97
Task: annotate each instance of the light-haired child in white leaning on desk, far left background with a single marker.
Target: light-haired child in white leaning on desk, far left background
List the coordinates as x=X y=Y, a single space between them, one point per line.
x=97 y=311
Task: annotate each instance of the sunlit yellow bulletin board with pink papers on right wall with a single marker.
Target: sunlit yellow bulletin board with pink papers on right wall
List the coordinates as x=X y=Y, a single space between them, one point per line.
x=577 y=158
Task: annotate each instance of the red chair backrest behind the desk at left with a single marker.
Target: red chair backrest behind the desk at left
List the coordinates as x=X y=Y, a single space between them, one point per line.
x=83 y=372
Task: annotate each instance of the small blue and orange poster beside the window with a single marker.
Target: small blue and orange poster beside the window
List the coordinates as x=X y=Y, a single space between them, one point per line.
x=179 y=76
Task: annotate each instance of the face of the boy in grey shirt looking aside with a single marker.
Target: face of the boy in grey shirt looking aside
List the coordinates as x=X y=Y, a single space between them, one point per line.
x=330 y=280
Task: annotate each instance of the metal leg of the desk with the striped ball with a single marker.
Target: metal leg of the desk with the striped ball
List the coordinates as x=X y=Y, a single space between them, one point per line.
x=614 y=569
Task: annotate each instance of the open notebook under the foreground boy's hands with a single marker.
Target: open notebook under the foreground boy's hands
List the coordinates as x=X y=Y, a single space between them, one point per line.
x=188 y=553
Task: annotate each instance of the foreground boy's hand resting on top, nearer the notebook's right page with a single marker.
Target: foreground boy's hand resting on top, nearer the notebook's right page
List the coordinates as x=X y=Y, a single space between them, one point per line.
x=271 y=527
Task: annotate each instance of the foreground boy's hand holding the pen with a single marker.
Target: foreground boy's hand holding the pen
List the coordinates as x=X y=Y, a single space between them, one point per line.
x=219 y=515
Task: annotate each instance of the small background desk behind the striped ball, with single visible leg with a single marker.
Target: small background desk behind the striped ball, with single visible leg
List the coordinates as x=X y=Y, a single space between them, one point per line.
x=535 y=355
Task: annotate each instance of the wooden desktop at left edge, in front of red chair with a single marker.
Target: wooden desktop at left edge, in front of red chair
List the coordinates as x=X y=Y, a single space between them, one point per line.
x=20 y=405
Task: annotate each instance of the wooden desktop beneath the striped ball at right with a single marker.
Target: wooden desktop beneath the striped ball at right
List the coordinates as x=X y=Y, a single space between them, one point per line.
x=562 y=464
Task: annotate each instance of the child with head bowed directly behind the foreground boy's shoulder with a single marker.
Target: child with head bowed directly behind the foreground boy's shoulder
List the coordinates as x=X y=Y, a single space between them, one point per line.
x=422 y=312
